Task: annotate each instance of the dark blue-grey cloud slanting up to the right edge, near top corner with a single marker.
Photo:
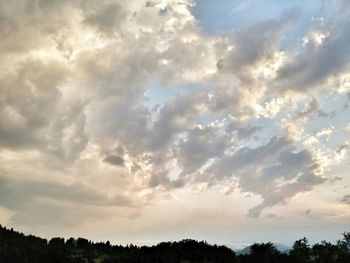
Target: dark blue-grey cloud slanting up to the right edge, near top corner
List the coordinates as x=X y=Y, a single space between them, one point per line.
x=316 y=63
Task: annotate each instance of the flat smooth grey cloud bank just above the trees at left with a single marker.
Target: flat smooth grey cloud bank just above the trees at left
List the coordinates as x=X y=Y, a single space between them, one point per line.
x=48 y=203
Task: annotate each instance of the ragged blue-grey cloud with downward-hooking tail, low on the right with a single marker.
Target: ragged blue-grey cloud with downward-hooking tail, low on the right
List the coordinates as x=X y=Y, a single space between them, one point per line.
x=275 y=171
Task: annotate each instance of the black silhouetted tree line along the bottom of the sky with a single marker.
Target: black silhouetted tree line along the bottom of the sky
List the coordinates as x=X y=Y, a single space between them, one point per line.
x=16 y=247
